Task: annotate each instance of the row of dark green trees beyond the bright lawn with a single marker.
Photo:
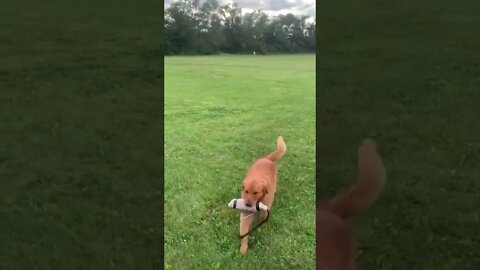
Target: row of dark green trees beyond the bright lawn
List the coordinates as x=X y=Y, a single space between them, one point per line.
x=192 y=28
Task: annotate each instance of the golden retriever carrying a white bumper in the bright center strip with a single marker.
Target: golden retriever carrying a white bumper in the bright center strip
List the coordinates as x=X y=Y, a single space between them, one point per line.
x=259 y=185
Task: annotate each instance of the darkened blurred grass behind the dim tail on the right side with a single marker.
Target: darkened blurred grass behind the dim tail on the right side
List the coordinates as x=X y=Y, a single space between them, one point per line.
x=408 y=74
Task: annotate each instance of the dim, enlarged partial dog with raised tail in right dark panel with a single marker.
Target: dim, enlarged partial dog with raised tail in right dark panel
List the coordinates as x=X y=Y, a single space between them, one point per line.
x=336 y=245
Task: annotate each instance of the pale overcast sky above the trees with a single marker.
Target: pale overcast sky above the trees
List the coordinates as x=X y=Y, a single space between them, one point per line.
x=272 y=7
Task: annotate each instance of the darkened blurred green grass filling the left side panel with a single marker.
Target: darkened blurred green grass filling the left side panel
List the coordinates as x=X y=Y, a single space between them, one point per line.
x=80 y=125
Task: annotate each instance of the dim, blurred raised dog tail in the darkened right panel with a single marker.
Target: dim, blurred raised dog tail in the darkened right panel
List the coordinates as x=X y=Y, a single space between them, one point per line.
x=370 y=181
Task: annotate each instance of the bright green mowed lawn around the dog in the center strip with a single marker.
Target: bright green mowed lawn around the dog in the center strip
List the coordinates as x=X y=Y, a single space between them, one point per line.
x=222 y=113
